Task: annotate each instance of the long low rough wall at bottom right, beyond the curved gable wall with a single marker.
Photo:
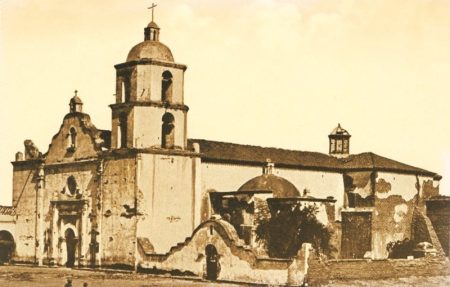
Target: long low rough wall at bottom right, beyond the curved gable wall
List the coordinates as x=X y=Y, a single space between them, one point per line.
x=324 y=272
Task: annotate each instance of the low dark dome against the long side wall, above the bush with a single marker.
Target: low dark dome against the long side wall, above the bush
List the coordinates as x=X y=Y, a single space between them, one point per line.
x=280 y=187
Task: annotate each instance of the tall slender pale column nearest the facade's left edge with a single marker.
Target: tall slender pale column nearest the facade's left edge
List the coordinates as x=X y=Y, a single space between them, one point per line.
x=40 y=216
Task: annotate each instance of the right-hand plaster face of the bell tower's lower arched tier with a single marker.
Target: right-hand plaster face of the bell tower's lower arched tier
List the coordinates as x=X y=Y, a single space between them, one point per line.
x=148 y=126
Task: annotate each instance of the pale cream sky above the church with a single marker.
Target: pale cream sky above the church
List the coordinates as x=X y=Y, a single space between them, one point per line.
x=278 y=73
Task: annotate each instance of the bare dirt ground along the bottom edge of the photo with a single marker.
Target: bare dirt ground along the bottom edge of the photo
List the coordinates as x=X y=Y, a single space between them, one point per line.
x=12 y=276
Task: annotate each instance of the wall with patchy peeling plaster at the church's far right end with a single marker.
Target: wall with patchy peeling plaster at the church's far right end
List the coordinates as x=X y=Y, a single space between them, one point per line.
x=395 y=198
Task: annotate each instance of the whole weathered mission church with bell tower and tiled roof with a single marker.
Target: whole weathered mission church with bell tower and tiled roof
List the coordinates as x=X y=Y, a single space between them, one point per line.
x=141 y=193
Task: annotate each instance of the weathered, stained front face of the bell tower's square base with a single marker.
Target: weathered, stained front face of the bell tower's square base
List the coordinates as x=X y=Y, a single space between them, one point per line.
x=118 y=220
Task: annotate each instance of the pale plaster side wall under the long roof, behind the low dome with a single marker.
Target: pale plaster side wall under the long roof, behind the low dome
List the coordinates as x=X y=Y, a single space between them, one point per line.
x=229 y=177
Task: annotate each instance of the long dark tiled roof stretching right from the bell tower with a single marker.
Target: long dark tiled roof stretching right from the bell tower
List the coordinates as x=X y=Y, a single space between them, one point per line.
x=215 y=151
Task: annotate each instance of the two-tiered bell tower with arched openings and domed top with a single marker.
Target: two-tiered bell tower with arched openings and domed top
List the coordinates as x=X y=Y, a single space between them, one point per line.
x=149 y=111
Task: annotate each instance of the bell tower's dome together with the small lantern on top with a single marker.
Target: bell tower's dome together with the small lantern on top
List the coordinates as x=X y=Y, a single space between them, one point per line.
x=151 y=48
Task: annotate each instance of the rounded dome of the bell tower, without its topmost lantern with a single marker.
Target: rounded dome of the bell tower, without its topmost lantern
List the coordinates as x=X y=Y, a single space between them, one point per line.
x=150 y=50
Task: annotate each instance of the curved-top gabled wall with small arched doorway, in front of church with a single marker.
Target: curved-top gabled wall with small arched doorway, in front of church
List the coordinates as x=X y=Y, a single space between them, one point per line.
x=236 y=262
